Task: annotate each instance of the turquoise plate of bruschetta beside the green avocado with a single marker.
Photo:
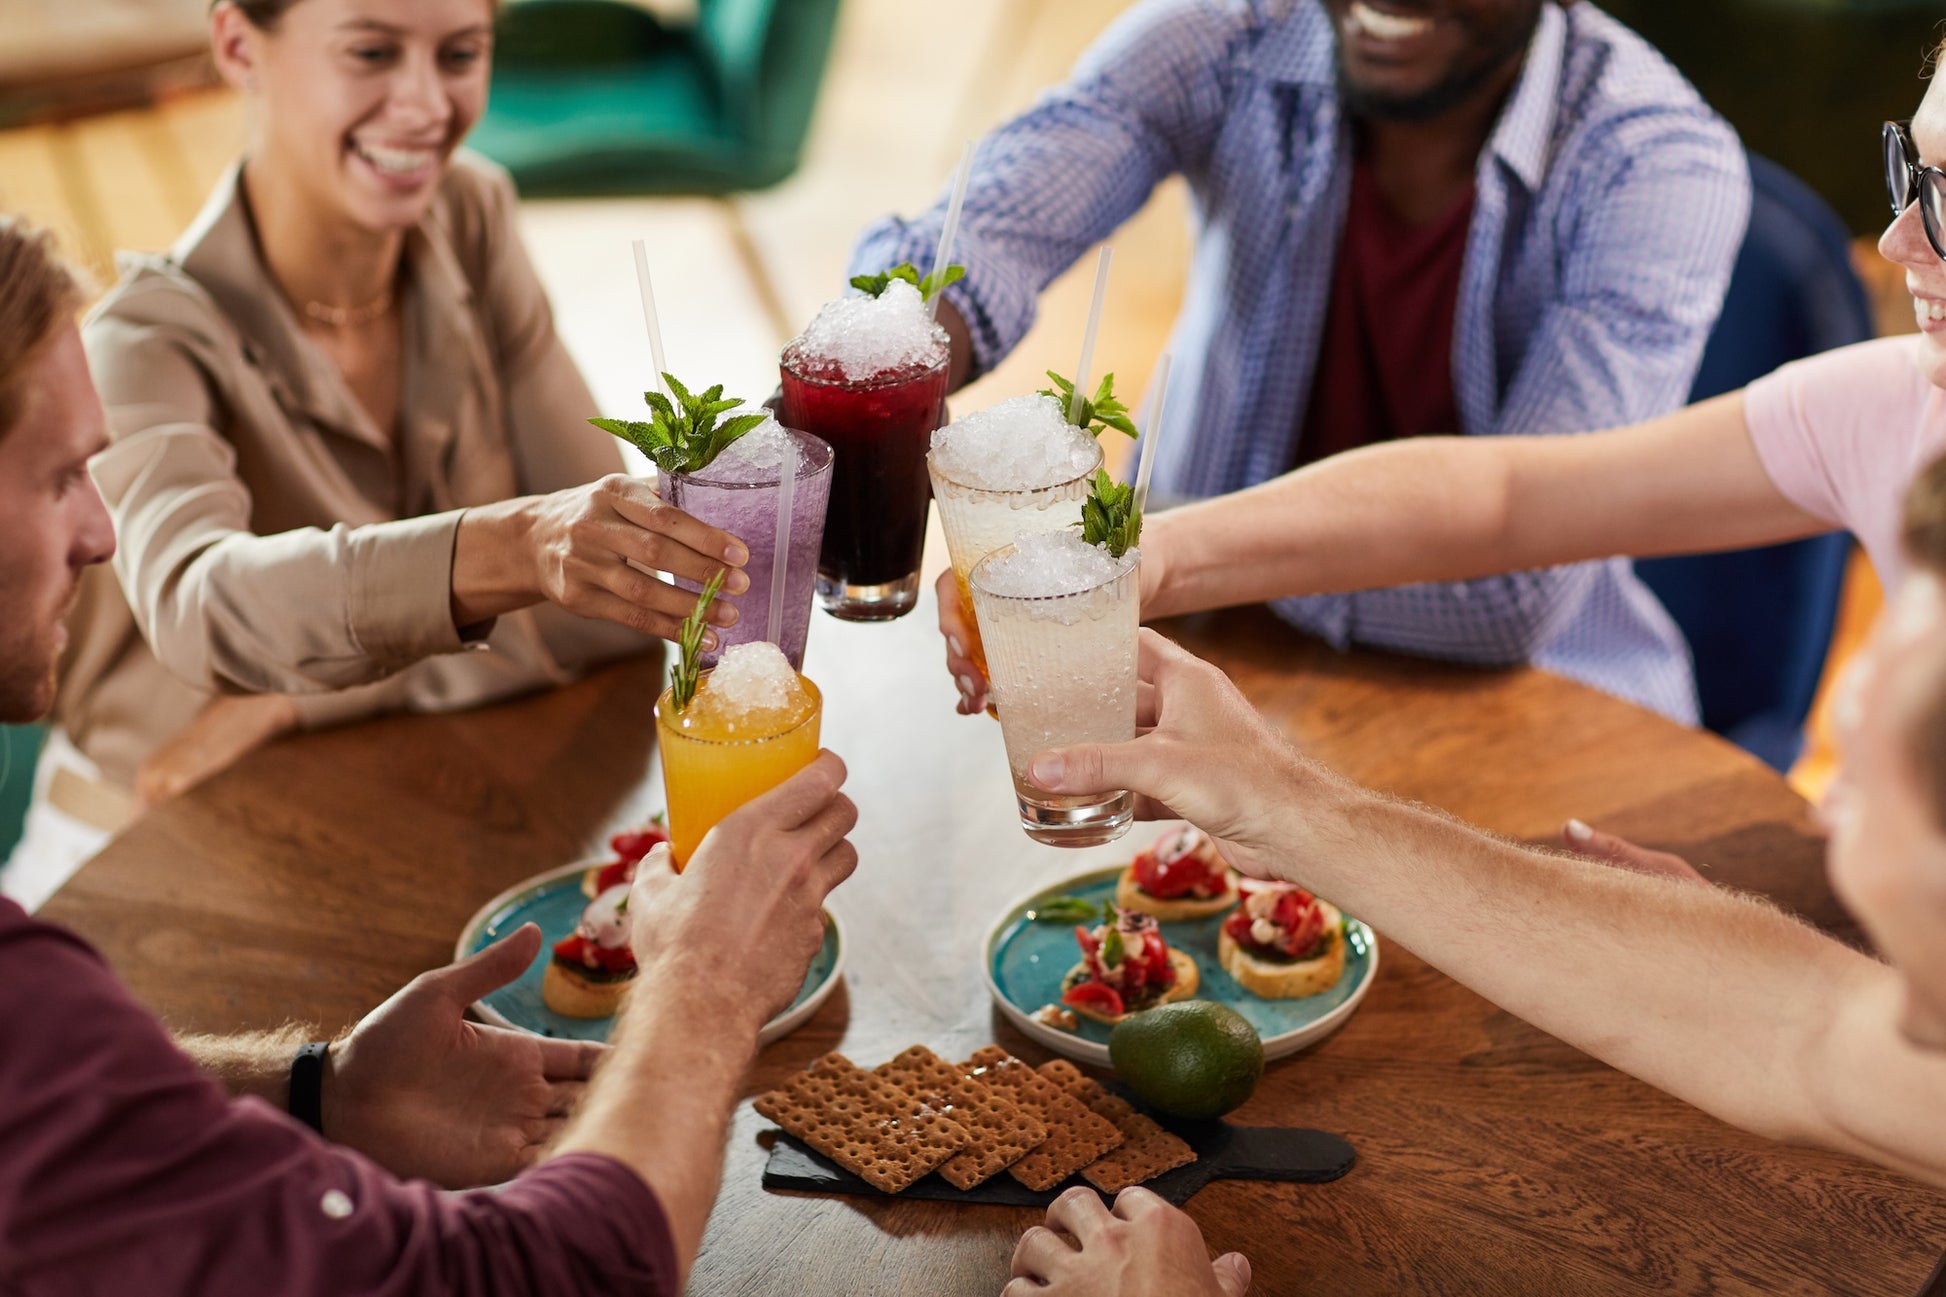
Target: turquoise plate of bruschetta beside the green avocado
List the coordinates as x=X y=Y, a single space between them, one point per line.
x=1027 y=963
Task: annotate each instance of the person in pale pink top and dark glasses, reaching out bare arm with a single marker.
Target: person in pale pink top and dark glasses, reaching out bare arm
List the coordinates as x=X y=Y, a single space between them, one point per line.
x=1824 y=443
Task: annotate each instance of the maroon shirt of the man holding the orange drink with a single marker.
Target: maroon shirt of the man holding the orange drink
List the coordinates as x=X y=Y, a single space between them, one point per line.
x=126 y=1169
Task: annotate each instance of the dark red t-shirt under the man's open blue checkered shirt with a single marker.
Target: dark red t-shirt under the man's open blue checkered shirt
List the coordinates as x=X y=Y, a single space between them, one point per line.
x=1387 y=361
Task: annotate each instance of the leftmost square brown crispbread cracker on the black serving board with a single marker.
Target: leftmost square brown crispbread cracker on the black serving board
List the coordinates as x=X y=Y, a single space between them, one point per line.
x=863 y=1123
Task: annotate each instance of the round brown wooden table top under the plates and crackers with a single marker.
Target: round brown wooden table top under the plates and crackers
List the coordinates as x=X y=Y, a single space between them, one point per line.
x=1492 y=1158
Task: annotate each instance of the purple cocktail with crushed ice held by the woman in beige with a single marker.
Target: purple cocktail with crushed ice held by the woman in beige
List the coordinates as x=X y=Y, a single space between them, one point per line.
x=740 y=492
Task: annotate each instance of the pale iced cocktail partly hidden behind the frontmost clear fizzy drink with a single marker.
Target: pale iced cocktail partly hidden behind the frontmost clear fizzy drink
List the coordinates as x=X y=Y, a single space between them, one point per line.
x=1019 y=466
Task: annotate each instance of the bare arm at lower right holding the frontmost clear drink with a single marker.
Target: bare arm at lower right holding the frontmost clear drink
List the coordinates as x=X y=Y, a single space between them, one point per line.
x=1712 y=996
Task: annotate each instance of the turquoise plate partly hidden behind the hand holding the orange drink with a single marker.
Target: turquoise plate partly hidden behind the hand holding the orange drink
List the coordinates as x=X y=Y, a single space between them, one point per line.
x=556 y=903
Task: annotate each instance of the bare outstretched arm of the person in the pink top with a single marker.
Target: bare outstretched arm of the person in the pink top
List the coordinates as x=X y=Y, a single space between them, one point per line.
x=1460 y=507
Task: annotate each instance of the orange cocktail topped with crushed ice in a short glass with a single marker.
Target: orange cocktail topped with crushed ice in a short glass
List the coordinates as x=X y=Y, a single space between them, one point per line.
x=750 y=725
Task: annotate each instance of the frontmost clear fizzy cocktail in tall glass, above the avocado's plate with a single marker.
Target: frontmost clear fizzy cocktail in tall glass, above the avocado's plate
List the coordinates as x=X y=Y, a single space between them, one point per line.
x=1060 y=618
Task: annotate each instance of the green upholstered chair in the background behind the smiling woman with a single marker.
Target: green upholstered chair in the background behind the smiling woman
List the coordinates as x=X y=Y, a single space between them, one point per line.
x=598 y=96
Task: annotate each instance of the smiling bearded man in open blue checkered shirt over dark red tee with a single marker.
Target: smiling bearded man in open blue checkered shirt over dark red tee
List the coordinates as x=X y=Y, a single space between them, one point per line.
x=1412 y=217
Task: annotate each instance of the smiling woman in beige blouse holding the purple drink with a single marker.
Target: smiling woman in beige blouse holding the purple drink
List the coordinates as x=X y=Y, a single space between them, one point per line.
x=347 y=443
